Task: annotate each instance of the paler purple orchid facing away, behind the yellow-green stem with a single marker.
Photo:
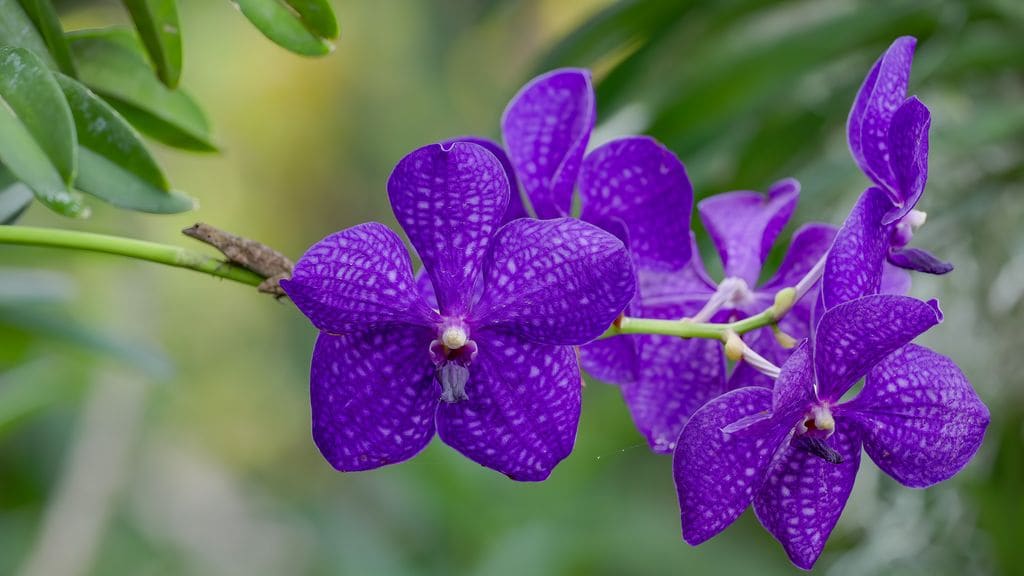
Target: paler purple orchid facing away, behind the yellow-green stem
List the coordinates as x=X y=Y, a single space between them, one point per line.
x=665 y=380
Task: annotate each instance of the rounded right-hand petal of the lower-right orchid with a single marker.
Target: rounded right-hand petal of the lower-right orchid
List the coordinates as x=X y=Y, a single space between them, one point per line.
x=922 y=421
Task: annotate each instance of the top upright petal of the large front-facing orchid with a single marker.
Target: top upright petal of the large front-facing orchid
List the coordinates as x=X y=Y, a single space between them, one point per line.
x=450 y=201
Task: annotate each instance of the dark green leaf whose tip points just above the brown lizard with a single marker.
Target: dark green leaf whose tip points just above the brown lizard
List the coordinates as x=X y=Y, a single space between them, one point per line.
x=114 y=166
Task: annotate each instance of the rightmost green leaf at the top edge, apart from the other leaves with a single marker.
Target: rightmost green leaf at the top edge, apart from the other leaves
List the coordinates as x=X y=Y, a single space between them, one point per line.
x=300 y=26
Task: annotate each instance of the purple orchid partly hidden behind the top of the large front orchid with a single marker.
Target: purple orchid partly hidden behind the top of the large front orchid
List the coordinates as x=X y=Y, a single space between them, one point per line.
x=632 y=187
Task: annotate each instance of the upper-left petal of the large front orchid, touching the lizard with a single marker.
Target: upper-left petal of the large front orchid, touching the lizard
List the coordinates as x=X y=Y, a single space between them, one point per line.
x=358 y=279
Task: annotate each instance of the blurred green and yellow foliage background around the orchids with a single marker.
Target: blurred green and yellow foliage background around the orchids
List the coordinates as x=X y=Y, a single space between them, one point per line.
x=155 y=422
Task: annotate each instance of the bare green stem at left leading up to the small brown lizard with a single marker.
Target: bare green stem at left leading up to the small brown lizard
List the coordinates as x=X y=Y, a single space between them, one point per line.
x=139 y=250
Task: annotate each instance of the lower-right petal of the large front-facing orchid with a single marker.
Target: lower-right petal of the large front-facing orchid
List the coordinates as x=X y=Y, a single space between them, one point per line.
x=523 y=409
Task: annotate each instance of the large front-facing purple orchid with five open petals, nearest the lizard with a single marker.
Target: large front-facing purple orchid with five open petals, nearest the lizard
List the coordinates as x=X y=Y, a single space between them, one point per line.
x=492 y=368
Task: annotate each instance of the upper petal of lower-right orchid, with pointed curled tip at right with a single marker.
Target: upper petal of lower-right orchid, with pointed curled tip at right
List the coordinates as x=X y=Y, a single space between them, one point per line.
x=855 y=337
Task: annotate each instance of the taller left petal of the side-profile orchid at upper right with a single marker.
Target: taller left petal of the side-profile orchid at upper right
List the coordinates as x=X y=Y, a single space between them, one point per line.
x=882 y=94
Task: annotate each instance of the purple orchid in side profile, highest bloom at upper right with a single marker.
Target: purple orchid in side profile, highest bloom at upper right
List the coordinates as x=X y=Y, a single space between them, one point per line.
x=888 y=137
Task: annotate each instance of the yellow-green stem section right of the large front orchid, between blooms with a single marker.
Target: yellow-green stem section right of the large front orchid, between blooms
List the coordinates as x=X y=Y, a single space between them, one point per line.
x=688 y=330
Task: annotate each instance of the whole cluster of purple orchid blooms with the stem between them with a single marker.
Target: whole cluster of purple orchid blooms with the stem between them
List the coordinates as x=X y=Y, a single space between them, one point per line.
x=485 y=346
